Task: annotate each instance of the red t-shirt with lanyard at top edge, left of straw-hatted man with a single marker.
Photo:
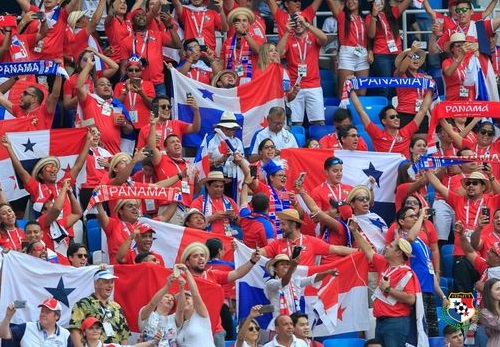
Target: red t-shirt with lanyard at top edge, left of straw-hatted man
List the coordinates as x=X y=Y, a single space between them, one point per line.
x=207 y=21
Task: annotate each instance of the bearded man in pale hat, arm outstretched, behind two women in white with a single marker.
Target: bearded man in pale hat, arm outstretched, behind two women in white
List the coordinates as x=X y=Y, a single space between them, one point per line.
x=195 y=256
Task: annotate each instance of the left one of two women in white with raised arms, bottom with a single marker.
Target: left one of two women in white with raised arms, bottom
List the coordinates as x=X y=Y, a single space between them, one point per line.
x=158 y=315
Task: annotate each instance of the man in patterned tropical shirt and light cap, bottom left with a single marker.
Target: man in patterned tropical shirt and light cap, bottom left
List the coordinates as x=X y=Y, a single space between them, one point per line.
x=100 y=306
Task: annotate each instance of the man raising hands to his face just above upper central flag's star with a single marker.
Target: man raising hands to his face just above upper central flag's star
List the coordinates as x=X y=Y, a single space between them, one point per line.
x=197 y=64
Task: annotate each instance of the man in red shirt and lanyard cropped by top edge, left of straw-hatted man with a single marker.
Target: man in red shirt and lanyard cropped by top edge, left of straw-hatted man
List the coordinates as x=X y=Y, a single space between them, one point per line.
x=200 y=22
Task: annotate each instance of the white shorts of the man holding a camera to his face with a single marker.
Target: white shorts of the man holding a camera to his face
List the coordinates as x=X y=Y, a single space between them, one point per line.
x=311 y=101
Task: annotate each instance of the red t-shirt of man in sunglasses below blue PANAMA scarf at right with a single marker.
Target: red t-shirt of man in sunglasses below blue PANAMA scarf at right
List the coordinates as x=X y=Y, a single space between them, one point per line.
x=383 y=141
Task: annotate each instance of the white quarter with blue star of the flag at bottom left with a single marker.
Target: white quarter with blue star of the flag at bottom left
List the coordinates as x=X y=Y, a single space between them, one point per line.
x=32 y=279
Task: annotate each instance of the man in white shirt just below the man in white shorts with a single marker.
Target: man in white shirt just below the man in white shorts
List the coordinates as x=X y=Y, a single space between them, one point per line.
x=275 y=131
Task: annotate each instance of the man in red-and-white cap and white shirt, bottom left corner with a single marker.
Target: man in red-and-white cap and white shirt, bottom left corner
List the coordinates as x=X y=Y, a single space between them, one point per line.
x=43 y=332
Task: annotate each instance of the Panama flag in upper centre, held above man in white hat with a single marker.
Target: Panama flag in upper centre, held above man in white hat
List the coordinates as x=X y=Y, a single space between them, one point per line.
x=249 y=102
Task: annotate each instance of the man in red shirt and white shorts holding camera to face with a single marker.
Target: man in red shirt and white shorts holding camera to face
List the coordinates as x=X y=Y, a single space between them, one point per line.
x=300 y=45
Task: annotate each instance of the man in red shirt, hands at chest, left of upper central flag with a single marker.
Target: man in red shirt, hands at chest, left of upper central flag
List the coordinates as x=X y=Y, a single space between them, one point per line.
x=135 y=93
